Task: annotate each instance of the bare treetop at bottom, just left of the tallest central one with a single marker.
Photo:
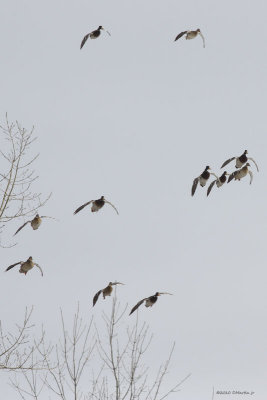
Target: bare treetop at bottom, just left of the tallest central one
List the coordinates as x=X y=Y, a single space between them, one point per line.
x=62 y=373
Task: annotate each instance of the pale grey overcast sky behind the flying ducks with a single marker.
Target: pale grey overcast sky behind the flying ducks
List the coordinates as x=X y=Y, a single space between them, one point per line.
x=136 y=117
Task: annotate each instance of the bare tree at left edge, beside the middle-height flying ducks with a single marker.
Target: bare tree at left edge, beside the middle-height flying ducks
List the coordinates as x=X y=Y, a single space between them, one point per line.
x=17 y=177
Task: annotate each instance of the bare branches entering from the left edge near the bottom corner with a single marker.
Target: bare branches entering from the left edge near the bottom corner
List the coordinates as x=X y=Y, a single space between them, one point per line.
x=17 y=351
